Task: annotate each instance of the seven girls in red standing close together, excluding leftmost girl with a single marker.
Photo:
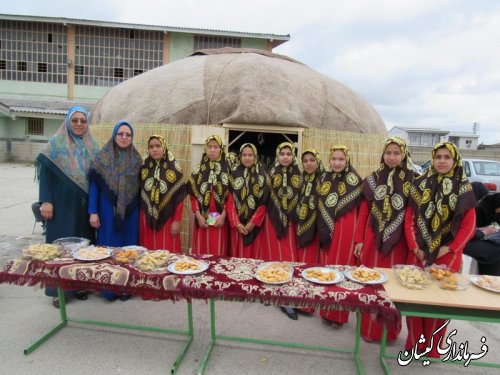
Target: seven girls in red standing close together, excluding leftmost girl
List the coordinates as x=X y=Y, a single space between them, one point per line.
x=336 y=217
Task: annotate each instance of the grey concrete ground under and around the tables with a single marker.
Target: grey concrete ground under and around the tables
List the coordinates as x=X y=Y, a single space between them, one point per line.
x=26 y=314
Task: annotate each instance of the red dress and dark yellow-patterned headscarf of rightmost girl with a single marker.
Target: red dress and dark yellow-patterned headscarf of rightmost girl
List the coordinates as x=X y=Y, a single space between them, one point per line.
x=447 y=218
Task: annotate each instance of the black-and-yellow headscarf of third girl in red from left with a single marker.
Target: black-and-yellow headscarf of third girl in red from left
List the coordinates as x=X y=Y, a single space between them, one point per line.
x=250 y=191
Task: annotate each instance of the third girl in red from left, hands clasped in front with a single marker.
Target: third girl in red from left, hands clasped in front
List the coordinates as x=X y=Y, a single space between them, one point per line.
x=246 y=205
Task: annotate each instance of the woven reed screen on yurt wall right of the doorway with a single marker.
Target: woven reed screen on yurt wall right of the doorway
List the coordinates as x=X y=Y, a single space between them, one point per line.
x=365 y=149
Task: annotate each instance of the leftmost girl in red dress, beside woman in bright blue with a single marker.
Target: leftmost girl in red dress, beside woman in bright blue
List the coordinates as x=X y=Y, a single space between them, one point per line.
x=162 y=198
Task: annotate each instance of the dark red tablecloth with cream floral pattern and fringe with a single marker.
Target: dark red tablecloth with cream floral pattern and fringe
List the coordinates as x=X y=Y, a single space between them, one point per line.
x=226 y=279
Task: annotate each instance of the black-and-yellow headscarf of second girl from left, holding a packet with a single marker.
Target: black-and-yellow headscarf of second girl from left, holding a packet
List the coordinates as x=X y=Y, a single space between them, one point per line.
x=210 y=176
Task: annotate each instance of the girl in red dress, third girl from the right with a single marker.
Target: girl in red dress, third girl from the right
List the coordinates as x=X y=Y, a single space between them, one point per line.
x=339 y=196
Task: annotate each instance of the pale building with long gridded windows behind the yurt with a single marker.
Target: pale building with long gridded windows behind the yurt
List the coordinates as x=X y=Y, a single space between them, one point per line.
x=48 y=64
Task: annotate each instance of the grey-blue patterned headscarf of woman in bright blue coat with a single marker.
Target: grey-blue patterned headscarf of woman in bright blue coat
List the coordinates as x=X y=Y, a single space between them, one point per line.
x=116 y=172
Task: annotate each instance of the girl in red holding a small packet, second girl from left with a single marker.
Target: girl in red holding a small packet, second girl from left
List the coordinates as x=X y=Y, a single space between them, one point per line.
x=208 y=188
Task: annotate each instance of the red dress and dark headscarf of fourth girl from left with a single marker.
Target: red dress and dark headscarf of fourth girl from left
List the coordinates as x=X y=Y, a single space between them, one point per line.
x=280 y=228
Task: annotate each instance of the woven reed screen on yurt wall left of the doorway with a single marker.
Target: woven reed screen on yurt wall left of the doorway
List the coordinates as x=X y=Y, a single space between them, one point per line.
x=178 y=138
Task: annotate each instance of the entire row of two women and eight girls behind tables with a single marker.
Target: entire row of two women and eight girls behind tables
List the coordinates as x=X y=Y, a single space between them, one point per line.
x=315 y=216
